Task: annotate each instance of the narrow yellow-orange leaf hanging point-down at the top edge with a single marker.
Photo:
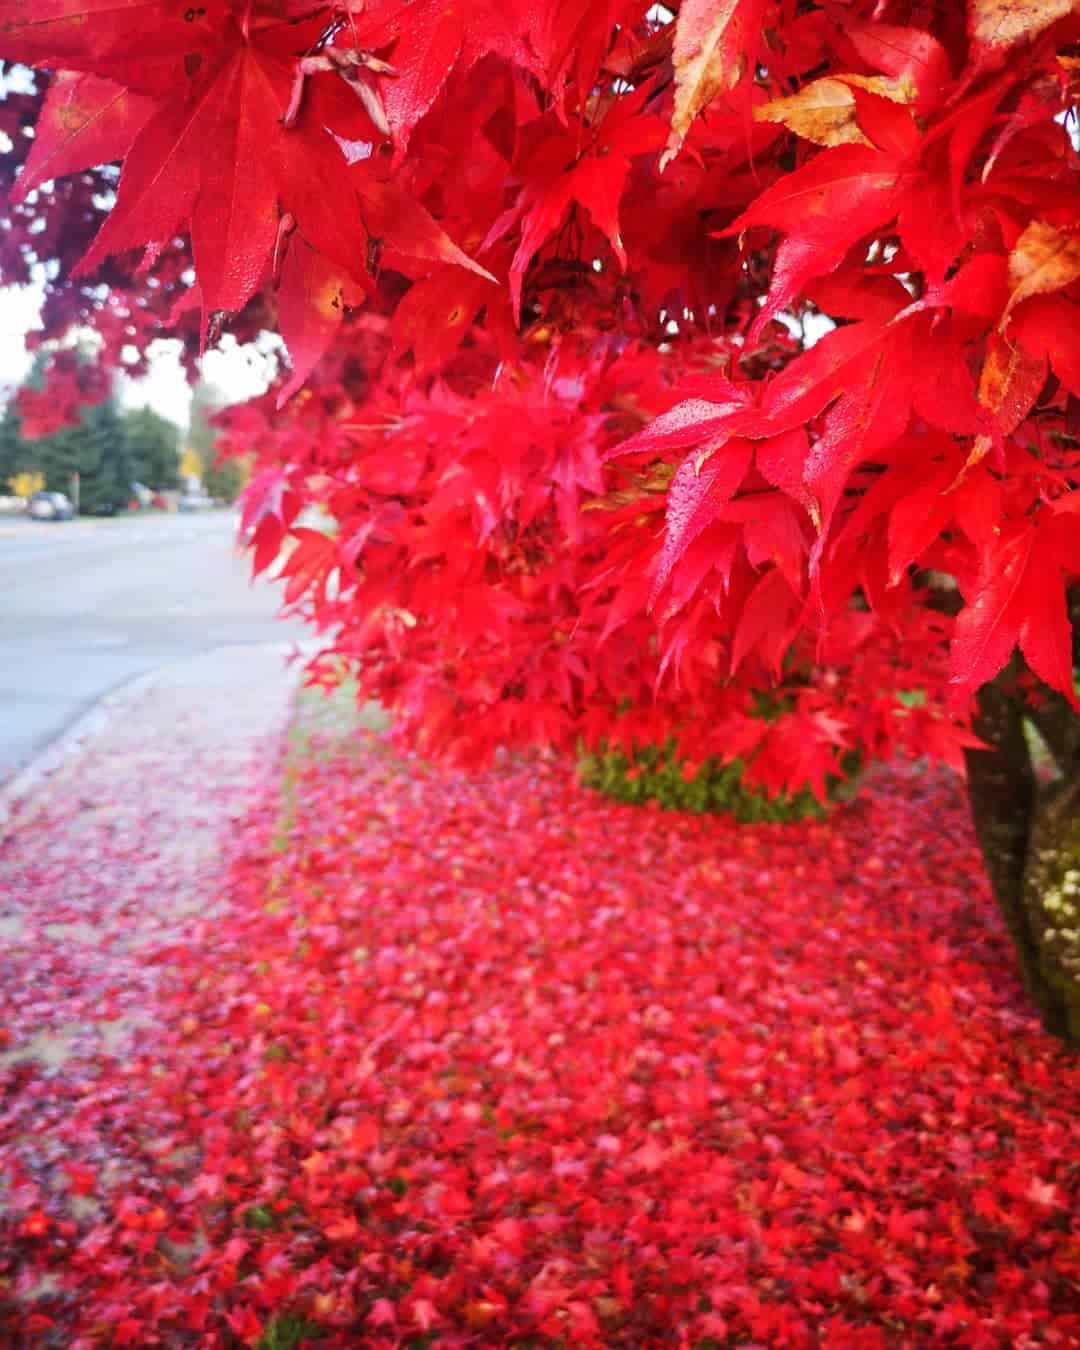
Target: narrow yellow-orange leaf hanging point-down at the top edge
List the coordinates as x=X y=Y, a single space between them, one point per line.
x=709 y=60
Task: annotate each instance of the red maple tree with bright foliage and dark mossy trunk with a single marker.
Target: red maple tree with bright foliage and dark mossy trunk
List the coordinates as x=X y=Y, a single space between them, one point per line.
x=645 y=358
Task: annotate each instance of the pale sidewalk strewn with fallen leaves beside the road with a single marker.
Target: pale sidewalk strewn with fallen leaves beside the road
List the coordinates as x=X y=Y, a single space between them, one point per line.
x=119 y=848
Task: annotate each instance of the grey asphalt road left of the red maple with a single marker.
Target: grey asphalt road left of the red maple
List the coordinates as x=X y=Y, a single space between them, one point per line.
x=87 y=605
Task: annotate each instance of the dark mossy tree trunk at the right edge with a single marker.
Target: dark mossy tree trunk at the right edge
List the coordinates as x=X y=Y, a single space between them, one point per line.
x=1031 y=842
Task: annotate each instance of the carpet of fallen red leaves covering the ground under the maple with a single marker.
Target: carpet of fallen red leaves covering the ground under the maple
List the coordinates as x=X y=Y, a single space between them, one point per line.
x=487 y=1060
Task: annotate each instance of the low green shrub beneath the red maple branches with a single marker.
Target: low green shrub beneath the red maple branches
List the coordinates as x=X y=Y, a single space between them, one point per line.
x=657 y=774
